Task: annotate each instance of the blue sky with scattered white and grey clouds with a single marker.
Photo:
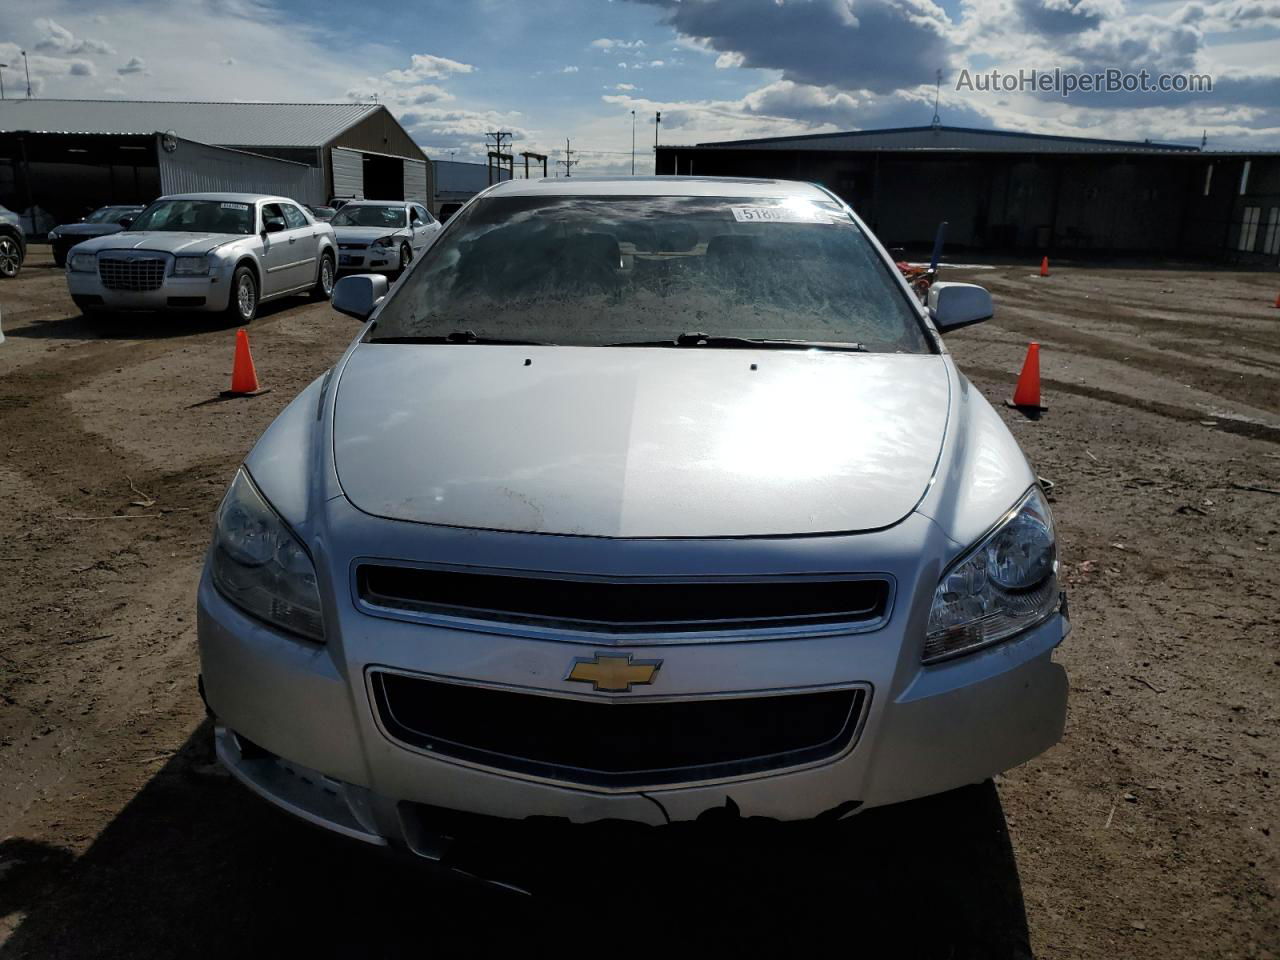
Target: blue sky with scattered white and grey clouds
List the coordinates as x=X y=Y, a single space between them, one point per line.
x=548 y=70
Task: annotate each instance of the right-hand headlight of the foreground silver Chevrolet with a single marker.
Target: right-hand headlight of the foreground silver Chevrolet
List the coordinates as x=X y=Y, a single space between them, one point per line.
x=1007 y=584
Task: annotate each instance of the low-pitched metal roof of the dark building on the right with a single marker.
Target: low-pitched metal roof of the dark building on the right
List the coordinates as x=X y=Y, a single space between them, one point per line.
x=950 y=139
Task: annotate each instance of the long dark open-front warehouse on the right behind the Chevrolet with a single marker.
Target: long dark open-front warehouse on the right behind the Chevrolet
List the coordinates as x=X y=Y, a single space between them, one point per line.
x=1026 y=193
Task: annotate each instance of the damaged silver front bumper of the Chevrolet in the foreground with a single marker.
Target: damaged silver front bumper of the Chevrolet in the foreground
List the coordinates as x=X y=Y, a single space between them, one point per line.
x=318 y=751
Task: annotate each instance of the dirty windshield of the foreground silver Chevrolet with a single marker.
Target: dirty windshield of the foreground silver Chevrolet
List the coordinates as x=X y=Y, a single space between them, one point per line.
x=600 y=271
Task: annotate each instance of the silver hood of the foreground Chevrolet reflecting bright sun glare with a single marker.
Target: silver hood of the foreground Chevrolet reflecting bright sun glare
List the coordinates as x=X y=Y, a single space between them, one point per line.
x=638 y=442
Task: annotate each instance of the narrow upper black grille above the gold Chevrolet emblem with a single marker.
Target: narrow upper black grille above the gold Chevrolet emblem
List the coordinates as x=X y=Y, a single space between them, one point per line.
x=625 y=606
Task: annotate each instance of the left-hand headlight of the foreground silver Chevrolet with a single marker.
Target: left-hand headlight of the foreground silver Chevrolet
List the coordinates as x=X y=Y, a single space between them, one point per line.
x=259 y=565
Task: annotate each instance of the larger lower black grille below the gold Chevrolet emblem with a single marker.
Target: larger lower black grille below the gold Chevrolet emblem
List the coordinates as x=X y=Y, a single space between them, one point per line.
x=619 y=742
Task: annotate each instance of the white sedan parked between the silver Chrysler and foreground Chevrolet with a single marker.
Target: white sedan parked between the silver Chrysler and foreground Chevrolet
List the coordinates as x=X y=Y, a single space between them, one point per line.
x=382 y=236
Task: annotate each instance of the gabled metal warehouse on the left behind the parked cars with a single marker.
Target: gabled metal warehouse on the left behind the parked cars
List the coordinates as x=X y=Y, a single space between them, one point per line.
x=60 y=158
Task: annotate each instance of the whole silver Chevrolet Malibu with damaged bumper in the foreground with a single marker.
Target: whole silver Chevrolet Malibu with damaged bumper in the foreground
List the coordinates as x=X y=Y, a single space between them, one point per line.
x=634 y=500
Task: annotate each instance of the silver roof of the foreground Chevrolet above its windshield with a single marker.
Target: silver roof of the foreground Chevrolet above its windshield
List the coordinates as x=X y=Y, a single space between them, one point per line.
x=657 y=186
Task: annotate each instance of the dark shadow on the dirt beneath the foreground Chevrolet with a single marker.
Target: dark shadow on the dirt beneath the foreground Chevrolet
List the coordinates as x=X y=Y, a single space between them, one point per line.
x=198 y=867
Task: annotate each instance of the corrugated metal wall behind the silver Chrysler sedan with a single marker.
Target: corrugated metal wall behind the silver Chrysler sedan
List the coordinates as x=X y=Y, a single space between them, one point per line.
x=199 y=168
